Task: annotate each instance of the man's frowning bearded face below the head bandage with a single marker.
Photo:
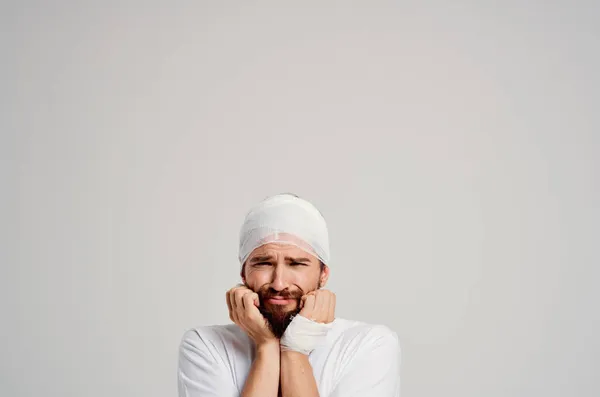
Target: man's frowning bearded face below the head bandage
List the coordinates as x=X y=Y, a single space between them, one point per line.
x=281 y=274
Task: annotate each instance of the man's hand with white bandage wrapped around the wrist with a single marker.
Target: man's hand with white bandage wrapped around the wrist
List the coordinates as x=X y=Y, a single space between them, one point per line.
x=310 y=327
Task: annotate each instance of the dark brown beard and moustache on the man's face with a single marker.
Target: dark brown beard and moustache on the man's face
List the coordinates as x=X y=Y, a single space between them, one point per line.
x=277 y=316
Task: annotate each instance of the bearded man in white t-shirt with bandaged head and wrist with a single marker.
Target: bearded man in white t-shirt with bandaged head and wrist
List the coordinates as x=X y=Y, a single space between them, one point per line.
x=285 y=339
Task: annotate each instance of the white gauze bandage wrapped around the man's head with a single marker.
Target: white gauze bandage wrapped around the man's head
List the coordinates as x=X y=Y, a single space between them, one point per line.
x=285 y=219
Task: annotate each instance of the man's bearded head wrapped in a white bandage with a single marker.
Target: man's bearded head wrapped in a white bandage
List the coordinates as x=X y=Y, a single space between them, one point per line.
x=284 y=251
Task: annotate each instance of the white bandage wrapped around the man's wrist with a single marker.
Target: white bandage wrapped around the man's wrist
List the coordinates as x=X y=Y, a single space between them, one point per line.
x=303 y=335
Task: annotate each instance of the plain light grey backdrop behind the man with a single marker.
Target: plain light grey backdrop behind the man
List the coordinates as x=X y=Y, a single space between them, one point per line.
x=453 y=148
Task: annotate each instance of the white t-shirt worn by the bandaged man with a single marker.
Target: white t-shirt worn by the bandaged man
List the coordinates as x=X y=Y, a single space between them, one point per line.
x=356 y=359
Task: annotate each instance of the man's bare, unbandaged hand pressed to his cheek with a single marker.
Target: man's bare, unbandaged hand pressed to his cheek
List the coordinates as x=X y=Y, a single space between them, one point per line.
x=243 y=310
